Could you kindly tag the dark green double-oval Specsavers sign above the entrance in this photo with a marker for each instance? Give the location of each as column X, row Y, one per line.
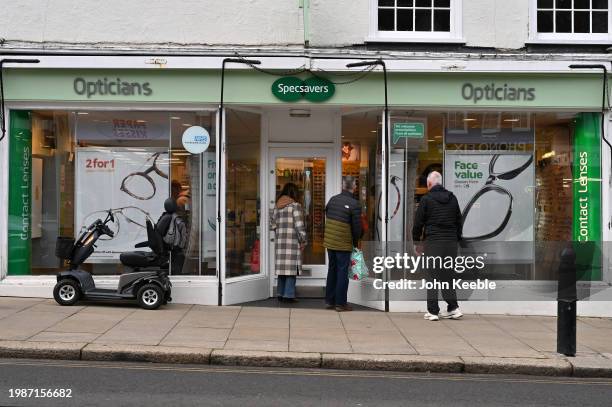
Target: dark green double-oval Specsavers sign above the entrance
column 313, row 89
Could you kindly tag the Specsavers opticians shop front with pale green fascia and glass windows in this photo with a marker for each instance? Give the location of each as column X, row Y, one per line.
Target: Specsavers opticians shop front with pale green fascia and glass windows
column 521, row 151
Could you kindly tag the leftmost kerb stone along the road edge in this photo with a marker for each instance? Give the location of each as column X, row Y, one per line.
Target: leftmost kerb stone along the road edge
column 41, row 350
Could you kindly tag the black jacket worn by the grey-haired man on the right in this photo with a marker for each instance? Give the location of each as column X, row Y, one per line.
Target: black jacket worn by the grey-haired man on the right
column 438, row 217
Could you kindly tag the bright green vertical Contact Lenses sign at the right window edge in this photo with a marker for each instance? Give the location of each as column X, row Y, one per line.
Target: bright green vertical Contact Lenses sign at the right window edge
column 587, row 196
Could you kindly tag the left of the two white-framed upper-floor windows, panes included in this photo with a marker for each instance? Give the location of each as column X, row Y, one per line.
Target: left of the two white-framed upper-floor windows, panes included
column 415, row 20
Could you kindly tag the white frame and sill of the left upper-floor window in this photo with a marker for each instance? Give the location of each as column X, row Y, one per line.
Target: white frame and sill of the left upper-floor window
column 455, row 35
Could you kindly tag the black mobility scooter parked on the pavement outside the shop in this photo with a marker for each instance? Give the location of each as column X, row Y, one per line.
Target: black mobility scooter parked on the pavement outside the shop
column 147, row 281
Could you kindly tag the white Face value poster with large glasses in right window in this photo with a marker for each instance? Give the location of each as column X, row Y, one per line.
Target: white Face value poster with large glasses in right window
column 495, row 191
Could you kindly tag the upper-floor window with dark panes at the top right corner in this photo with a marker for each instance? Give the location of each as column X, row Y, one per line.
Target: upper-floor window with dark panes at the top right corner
column 570, row 21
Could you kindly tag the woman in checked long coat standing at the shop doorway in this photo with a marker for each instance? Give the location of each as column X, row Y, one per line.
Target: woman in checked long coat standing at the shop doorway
column 287, row 222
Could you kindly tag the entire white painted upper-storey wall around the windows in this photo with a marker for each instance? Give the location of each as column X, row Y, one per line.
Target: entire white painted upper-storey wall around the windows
column 151, row 23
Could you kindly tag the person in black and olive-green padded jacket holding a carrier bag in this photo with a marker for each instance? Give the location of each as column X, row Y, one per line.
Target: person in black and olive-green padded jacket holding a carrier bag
column 342, row 233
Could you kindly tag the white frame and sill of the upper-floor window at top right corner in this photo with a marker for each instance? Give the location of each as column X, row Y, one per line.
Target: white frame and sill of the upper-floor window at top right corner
column 566, row 38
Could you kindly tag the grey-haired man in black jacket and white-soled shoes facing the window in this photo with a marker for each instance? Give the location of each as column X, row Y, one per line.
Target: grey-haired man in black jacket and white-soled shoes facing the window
column 438, row 224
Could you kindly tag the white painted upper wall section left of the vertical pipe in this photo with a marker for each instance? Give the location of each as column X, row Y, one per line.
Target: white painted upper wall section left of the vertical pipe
column 188, row 22
